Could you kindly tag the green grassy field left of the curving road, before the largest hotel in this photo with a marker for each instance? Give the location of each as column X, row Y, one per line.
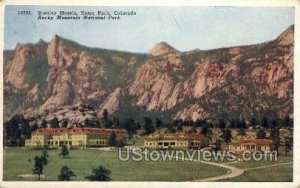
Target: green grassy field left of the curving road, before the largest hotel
column 18, row 161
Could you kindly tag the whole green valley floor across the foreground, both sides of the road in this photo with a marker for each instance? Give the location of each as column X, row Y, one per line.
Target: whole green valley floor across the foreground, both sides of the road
column 19, row 161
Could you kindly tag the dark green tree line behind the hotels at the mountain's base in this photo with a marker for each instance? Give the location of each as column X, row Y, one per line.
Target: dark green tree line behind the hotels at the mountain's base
column 17, row 129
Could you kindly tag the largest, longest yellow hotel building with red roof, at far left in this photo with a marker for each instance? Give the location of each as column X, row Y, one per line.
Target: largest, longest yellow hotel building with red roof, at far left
column 73, row 138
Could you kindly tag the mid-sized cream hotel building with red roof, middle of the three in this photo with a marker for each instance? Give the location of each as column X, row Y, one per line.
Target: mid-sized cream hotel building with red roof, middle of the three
column 176, row 141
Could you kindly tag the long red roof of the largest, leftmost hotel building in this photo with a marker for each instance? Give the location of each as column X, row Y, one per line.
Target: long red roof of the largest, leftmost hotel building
column 77, row 130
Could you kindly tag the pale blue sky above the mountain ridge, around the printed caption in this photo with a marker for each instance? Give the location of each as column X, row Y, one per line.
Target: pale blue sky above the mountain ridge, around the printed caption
column 185, row 28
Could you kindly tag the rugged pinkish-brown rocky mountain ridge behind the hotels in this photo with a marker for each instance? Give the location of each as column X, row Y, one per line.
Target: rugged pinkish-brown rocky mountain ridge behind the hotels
column 238, row 81
